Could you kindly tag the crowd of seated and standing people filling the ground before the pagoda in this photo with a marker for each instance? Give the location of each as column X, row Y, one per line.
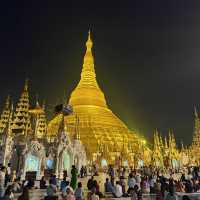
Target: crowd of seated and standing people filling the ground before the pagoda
column 122, row 182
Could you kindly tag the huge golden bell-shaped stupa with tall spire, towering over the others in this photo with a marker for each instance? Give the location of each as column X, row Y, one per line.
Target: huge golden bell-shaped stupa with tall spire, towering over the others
column 96, row 122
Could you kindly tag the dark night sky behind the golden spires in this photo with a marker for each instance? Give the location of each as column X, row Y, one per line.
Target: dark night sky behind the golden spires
column 147, row 56
